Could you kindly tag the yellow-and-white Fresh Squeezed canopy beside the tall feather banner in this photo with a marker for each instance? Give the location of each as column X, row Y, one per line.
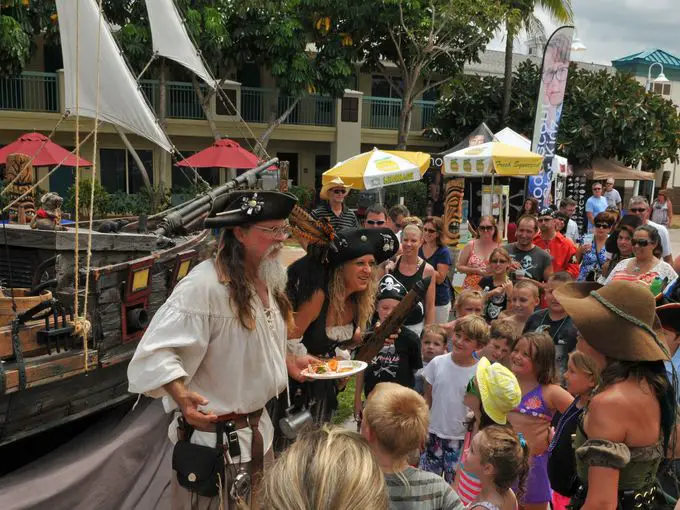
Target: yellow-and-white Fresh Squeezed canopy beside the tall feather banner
column 492, row 158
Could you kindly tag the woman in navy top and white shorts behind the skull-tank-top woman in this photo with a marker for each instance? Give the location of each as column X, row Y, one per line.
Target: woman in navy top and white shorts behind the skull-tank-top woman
column 439, row 257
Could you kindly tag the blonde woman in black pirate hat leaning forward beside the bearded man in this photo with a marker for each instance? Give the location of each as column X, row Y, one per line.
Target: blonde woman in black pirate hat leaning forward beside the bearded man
column 332, row 290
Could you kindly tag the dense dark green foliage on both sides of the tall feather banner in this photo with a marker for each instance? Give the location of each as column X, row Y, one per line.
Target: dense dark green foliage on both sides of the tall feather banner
column 604, row 115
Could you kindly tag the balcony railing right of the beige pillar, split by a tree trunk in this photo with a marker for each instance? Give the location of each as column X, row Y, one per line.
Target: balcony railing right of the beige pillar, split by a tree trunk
column 384, row 112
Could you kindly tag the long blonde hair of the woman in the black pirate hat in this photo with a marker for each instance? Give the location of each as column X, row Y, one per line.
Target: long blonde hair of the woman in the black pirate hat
column 364, row 301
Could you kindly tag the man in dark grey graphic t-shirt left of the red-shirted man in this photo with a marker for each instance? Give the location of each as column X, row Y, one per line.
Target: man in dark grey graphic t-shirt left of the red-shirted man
column 533, row 262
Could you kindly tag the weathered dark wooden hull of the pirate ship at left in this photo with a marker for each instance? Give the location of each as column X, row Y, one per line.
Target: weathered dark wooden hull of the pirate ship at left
column 46, row 378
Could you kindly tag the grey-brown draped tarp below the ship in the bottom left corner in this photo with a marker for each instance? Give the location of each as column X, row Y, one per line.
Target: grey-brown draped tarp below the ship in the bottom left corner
column 116, row 464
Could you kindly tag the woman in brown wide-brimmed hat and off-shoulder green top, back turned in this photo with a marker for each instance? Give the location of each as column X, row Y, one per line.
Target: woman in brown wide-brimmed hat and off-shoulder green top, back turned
column 628, row 425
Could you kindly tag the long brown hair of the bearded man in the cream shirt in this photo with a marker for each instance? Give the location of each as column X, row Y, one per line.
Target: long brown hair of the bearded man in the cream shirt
column 231, row 270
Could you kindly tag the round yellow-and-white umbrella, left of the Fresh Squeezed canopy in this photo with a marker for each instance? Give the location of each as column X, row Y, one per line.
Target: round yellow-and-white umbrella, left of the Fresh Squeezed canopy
column 378, row 168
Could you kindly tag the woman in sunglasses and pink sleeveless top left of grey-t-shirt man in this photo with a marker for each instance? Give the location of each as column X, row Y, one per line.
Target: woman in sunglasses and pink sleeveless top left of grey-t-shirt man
column 474, row 259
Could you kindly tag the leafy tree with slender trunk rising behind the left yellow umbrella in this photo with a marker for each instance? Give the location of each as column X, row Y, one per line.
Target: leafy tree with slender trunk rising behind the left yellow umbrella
column 416, row 45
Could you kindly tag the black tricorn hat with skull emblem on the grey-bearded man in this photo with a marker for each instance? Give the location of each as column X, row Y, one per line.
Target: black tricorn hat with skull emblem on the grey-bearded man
column 241, row 208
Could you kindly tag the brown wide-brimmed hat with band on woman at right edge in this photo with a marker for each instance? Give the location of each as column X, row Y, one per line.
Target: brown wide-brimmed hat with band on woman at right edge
column 618, row 320
